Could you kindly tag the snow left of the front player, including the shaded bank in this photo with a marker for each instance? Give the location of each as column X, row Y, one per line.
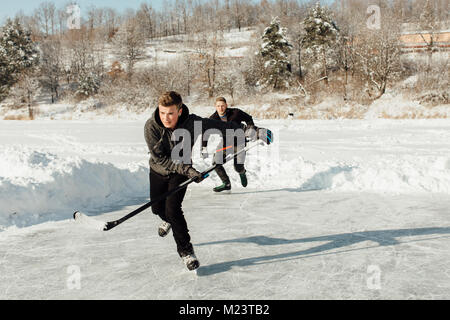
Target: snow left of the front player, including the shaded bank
column 43, row 184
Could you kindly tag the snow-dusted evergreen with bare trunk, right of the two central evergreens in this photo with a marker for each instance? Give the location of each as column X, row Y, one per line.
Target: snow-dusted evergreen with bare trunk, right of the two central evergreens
column 321, row 34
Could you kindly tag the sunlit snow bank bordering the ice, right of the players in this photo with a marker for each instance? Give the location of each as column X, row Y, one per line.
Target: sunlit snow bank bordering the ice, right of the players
column 391, row 174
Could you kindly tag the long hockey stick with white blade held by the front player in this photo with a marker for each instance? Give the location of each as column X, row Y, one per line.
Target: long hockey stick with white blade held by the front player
column 105, row 226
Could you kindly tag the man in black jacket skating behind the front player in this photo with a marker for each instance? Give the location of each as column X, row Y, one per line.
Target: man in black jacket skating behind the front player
column 237, row 116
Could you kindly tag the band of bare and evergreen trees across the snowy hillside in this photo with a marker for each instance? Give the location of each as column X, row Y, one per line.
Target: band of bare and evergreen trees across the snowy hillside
column 301, row 46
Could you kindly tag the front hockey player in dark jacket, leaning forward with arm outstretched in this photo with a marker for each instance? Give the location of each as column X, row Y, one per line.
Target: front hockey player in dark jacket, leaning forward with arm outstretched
column 170, row 166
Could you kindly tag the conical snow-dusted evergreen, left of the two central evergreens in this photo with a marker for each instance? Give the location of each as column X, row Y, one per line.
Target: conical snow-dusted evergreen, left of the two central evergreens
column 275, row 49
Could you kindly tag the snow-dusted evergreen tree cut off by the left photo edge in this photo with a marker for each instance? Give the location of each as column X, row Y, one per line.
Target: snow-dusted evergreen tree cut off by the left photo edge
column 18, row 53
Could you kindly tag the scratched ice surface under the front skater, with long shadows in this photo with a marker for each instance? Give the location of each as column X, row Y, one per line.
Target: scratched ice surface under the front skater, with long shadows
column 252, row 244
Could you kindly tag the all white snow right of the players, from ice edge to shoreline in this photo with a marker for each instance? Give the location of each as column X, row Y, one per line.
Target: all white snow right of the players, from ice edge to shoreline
column 384, row 156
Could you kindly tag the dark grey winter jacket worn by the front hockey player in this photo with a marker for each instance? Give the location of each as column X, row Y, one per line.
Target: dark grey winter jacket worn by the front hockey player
column 160, row 143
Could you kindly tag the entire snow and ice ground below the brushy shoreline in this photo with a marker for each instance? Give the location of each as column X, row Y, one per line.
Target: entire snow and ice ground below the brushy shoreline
column 334, row 209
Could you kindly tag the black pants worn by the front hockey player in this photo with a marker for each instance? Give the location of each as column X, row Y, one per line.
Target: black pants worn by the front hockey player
column 169, row 209
